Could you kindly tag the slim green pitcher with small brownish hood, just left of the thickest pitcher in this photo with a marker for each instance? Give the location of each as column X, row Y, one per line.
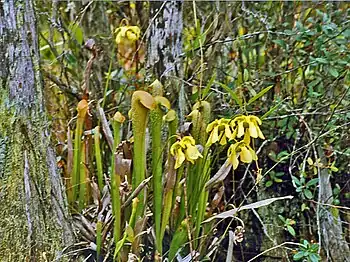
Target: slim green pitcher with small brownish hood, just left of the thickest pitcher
column 117, row 121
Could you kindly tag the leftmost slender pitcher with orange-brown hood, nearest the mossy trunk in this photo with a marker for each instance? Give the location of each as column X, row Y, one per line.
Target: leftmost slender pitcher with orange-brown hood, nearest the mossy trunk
column 82, row 110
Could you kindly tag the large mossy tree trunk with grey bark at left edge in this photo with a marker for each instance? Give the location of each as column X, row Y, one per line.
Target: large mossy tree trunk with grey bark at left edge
column 33, row 216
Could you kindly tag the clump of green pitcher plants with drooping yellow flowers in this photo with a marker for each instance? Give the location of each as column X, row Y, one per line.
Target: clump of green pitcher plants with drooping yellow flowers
column 171, row 185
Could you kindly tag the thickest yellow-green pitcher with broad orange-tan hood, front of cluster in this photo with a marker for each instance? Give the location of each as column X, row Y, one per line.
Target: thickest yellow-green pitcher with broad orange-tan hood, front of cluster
column 141, row 102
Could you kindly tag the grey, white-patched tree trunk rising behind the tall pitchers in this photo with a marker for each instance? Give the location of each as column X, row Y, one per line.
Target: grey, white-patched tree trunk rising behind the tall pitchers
column 165, row 48
